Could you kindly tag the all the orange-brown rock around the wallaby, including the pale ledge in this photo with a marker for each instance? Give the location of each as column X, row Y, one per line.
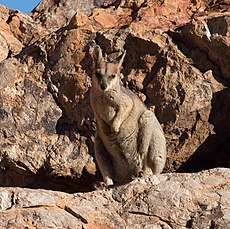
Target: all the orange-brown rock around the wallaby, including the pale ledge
column 177, row 61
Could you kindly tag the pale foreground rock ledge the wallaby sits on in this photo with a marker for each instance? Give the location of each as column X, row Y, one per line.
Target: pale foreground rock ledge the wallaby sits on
column 199, row 200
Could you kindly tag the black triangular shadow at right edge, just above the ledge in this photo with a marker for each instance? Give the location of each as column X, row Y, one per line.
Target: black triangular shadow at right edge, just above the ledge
column 215, row 151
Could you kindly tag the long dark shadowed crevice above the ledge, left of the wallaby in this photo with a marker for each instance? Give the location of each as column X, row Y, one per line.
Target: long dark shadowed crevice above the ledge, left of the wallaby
column 10, row 177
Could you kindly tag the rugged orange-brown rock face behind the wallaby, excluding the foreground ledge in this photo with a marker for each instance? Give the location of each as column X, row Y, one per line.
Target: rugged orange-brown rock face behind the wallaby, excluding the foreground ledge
column 177, row 61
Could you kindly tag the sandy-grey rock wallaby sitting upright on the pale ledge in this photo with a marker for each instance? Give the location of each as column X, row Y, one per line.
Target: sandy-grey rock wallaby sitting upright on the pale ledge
column 129, row 140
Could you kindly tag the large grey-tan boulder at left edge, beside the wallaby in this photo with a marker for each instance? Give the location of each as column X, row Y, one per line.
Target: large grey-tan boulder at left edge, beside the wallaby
column 30, row 144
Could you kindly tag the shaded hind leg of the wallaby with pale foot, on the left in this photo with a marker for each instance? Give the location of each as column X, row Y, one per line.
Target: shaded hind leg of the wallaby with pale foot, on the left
column 103, row 161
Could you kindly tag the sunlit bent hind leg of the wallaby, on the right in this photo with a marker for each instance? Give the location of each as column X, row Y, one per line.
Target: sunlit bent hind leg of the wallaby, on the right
column 152, row 144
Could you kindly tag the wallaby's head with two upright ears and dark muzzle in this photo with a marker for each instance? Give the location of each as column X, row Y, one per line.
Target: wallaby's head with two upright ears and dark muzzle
column 107, row 75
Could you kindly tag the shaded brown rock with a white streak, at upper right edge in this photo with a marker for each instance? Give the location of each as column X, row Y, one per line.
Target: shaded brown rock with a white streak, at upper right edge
column 207, row 34
